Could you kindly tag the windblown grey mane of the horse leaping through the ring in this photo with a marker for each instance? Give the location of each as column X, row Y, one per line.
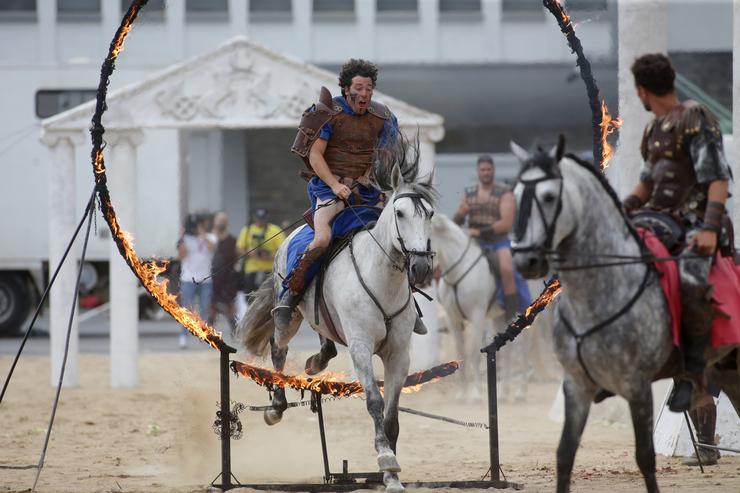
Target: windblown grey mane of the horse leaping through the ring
column 404, row 154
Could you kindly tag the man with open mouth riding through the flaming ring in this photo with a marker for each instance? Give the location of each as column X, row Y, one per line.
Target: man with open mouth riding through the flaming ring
column 338, row 139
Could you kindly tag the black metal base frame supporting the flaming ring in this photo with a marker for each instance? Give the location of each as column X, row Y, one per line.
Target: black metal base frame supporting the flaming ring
column 345, row 480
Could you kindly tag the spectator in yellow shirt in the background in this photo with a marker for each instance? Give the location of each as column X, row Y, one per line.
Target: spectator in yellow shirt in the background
column 259, row 241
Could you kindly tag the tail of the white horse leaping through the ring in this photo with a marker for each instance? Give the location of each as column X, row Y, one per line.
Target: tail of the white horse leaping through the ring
column 256, row 327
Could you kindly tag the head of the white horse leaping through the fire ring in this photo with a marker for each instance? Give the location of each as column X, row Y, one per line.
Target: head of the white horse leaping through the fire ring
column 410, row 207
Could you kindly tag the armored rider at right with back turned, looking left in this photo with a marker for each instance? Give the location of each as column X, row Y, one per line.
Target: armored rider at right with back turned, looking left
column 685, row 174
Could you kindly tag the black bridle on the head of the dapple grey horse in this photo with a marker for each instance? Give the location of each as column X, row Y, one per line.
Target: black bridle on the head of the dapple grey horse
column 525, row 210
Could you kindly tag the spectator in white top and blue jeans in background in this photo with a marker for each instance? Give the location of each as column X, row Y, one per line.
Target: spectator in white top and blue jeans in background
column 195, row 249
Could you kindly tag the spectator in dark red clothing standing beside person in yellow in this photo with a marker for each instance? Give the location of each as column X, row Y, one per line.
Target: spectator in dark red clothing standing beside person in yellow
column 224, row 275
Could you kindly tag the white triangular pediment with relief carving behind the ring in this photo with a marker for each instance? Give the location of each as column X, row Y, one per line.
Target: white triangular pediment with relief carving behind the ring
column 240, row 84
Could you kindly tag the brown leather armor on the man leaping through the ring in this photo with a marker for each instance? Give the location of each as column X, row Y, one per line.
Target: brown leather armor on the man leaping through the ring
column 351, row 149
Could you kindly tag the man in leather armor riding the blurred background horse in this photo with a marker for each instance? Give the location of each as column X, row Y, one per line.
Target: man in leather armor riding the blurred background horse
column 489, row 208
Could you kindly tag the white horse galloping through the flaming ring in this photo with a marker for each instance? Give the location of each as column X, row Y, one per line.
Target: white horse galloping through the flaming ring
column 367, row 289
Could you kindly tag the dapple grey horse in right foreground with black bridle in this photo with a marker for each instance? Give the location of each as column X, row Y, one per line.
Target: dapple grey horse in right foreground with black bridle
column 567, row 209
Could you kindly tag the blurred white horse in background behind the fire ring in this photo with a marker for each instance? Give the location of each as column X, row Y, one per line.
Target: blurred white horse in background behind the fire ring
column 466, row 292
